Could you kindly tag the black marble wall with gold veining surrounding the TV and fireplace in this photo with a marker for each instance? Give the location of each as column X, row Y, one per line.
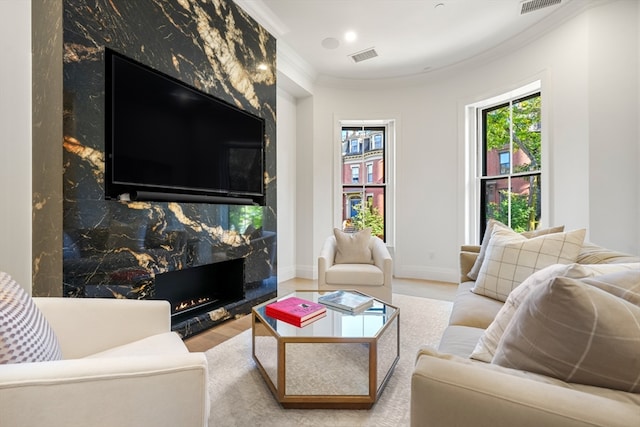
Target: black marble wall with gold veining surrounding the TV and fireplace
column 113, row 248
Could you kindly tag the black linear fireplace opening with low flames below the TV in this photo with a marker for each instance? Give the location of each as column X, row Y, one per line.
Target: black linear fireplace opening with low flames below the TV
column 198, row 290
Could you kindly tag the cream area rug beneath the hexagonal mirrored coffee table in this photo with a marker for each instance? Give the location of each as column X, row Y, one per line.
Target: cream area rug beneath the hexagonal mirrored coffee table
column 240, row 396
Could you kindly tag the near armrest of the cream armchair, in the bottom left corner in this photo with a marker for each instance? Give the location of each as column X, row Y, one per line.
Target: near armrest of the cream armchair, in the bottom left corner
column 163, row 390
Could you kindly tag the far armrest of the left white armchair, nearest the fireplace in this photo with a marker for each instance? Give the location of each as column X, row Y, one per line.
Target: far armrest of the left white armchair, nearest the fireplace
column 85, row 326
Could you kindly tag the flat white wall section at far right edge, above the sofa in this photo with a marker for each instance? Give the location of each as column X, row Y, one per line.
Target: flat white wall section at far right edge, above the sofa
column 613, row 147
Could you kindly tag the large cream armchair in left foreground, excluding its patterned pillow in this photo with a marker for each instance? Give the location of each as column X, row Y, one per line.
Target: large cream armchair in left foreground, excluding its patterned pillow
column 121, row 366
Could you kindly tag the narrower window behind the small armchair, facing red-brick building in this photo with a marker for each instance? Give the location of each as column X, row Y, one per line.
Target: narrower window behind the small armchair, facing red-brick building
column 364, row 203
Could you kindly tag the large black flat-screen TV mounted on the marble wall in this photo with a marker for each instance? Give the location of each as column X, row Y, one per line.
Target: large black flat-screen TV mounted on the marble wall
column 168, row 141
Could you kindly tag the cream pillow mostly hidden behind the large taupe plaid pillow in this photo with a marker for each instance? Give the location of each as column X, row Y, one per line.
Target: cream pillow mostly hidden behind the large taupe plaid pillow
column 603, row 274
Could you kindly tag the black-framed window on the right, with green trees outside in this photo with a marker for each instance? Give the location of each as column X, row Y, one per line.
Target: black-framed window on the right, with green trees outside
column 510, row 163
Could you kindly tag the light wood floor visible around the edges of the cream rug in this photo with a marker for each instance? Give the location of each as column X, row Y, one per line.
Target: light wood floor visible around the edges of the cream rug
column 220, row 333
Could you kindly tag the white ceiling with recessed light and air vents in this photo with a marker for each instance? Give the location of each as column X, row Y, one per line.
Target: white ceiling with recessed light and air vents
column 410, row 36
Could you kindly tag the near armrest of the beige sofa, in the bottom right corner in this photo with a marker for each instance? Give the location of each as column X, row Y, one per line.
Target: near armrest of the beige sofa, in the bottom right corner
column 449, row 393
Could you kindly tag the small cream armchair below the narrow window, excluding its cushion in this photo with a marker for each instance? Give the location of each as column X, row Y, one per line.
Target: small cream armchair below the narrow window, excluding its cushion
column 373, row 279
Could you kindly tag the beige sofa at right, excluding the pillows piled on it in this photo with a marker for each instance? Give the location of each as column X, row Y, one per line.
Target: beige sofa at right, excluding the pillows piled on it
column 449, row 388
